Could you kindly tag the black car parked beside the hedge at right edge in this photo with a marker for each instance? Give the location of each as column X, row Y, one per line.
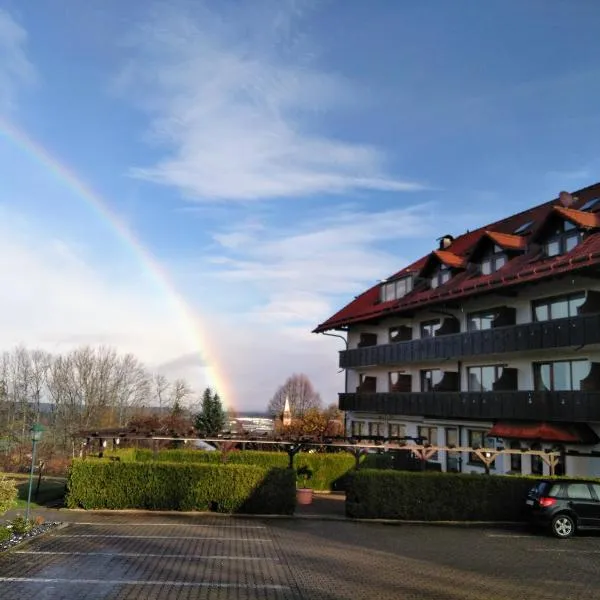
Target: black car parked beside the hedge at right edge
column 564, row 507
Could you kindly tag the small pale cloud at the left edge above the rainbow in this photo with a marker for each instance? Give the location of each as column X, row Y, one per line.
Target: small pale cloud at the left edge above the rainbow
column 15, row 68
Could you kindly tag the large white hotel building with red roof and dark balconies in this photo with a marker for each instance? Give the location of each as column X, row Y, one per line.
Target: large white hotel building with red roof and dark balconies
column 491, row 340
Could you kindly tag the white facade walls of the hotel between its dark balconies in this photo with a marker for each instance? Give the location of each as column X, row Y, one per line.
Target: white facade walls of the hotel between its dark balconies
column 366, row 423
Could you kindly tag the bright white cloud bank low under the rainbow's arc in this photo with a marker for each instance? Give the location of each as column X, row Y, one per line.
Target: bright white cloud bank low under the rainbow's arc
column 54, row 298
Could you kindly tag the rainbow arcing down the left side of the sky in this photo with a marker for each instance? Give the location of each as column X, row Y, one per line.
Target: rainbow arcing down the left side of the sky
column 190, row 322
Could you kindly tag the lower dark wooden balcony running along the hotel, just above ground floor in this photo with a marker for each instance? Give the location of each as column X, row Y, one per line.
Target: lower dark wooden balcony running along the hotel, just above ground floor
column 575, row 407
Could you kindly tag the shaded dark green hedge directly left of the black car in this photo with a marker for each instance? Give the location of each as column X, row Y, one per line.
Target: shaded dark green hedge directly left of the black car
column 373, row 494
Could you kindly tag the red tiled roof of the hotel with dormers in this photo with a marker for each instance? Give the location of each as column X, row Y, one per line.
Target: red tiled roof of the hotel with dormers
column 532, row 265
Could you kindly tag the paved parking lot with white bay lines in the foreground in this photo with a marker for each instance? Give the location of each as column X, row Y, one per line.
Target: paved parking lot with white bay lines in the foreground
column 160, row 557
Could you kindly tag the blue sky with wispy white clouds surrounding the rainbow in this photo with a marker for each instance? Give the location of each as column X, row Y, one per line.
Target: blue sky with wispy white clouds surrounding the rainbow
column 275, row 157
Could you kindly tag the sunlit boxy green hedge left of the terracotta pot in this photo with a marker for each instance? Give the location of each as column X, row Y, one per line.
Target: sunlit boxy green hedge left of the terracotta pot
column 96, row 484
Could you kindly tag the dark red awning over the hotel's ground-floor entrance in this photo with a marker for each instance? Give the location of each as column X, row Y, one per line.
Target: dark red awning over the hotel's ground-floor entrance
column 546, row 432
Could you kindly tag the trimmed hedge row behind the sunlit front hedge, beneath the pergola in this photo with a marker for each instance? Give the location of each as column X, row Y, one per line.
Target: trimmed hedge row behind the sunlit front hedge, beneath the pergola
column 329, row 470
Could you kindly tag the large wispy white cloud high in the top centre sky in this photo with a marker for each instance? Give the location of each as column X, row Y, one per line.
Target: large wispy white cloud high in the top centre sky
column 231, row 100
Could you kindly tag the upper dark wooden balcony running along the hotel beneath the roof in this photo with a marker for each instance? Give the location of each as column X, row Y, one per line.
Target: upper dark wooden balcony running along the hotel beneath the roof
column 559, row 333
